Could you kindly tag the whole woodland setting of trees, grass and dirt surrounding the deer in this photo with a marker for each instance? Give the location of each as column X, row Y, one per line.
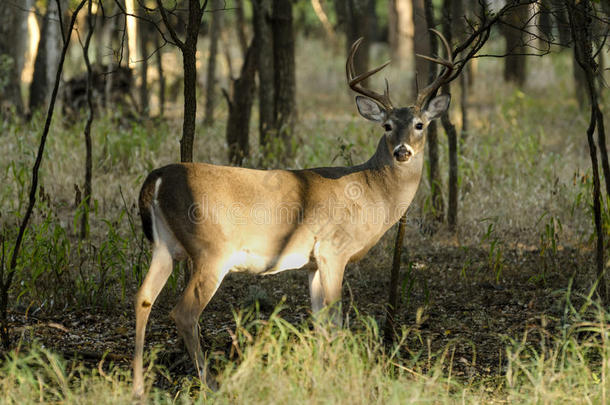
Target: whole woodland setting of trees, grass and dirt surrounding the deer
column 500, row 286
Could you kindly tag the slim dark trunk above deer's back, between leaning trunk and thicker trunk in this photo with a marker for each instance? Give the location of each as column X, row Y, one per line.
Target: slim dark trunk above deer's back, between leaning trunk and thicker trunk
column 266, row 76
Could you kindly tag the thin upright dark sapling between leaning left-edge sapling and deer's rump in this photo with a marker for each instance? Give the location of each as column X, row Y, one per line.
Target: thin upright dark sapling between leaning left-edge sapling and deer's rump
column 84, row 229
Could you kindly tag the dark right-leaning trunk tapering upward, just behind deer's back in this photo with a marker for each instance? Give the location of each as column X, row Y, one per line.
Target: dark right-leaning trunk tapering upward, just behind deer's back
column 240, row 107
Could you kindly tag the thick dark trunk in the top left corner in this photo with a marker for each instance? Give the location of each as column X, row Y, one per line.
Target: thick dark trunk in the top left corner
column 13, row 42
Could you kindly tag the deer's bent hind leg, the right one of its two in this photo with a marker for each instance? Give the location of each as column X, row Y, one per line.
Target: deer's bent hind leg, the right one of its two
column 207, row 275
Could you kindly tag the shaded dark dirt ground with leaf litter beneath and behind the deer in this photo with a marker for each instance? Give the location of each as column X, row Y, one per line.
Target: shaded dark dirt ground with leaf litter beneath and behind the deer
column 451, row 297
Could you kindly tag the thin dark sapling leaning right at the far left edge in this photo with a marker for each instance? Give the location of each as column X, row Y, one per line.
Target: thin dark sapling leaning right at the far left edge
column 7, row 274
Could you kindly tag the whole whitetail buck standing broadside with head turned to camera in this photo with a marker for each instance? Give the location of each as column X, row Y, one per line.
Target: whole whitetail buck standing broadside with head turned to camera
column 235, row 219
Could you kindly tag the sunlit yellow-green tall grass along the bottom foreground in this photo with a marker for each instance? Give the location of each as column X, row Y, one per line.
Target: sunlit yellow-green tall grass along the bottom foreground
column 274, row 362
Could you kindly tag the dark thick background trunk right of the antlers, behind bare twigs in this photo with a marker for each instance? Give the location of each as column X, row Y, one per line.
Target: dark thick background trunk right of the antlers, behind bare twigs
column 515, row 61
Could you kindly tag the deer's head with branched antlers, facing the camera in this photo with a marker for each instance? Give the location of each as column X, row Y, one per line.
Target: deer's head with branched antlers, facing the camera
column 405, row 127
